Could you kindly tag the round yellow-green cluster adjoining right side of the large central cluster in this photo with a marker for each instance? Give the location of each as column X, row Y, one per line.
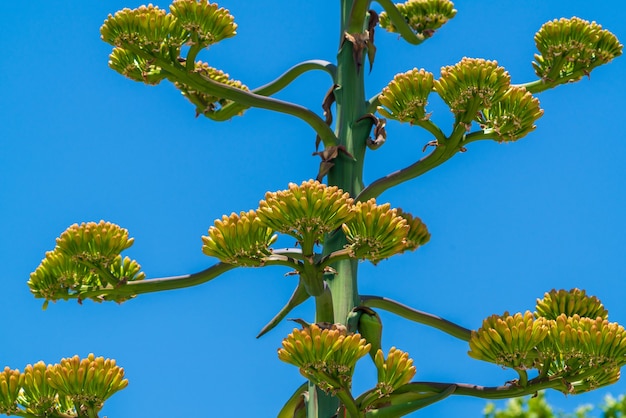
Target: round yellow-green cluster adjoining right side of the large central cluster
column 376, row 231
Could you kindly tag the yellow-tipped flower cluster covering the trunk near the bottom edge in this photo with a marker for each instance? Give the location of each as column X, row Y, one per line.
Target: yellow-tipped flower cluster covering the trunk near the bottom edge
column 327, row 356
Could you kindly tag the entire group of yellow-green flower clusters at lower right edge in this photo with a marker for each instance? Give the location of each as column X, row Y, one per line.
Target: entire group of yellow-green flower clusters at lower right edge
column 568, row 340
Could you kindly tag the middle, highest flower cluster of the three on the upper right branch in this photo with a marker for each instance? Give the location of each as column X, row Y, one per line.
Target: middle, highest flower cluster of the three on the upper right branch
column 471, row 86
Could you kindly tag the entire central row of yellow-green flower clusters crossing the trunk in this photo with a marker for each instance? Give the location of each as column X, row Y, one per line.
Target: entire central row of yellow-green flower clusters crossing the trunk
column 307, row 212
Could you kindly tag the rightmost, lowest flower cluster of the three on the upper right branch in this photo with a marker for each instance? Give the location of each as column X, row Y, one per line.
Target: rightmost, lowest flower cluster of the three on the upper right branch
column 511, row 117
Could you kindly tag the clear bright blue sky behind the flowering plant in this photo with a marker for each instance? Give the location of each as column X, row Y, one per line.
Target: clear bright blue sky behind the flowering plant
column 80, row 143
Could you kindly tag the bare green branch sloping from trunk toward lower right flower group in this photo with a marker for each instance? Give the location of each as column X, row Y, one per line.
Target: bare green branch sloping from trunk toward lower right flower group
column 417, row 316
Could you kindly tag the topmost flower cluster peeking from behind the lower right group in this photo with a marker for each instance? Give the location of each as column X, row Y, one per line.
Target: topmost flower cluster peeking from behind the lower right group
column 574, row 302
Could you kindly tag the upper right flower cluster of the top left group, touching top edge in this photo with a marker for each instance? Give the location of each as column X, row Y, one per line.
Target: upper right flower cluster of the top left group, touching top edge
column 204, row 22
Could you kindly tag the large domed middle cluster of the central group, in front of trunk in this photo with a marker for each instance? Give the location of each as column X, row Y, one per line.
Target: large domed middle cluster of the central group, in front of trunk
column 306, row 212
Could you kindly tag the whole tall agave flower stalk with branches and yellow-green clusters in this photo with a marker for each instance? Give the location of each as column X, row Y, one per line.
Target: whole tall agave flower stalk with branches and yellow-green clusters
column 335, row 220
